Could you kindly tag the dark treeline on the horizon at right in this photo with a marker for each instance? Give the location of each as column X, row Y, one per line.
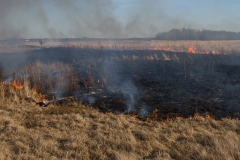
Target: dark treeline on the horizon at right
column 192, row 34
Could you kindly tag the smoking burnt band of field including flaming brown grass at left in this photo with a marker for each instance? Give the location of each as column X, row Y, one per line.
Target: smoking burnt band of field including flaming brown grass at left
column 173, row 84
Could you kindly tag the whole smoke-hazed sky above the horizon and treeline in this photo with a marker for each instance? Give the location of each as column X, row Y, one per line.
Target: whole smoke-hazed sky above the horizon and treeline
column 113, row 18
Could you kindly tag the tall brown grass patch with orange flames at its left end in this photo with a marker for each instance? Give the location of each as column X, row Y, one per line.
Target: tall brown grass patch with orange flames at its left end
column 32, row 81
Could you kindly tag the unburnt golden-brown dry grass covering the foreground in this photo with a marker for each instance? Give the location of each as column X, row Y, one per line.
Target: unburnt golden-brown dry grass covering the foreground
column 74, row 131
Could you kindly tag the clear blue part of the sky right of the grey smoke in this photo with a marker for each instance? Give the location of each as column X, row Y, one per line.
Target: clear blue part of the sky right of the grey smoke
column 204, row 14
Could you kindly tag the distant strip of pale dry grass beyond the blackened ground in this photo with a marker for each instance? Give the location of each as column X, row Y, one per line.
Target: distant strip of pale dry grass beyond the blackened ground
column 206, row 47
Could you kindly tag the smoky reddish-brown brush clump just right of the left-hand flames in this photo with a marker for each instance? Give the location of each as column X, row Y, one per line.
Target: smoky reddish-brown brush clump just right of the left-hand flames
column 55, row 77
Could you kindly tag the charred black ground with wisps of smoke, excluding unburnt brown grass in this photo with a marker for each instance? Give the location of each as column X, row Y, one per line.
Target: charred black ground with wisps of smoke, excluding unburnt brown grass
column 208, row 84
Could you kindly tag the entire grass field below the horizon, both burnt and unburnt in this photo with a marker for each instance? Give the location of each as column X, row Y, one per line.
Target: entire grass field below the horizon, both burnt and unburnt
column 67, row 128
